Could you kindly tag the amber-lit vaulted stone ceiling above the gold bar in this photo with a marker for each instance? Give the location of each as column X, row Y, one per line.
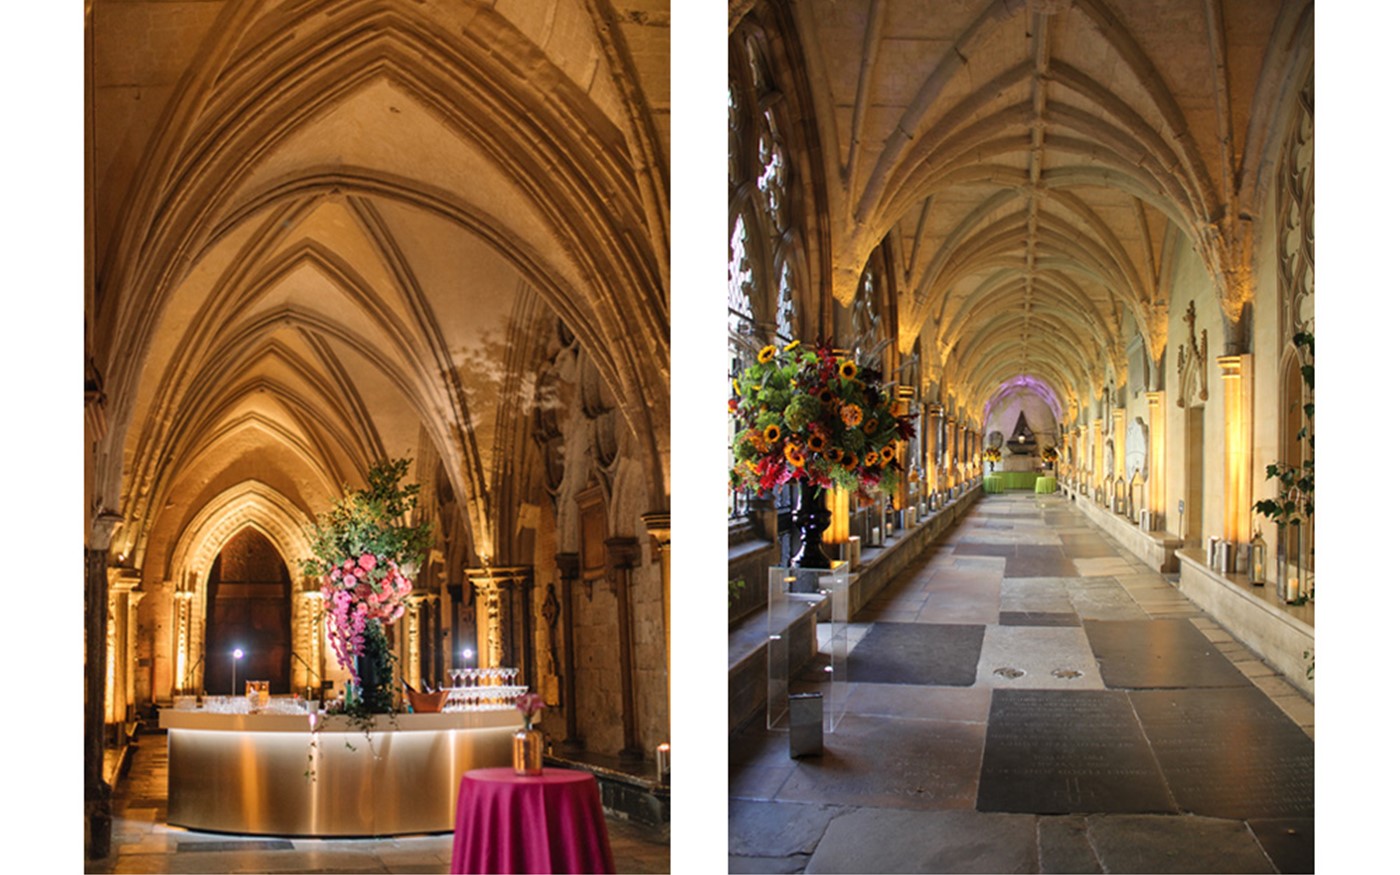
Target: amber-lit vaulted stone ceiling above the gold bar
column 323, row 232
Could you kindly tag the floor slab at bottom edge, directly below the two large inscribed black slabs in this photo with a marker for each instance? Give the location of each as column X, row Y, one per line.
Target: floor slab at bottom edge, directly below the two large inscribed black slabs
column 1175, row 845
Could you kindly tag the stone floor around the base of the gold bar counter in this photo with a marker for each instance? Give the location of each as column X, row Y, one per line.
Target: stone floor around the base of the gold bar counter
column 142, row 841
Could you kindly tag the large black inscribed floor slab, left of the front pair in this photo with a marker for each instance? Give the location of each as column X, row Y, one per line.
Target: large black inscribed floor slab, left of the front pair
column 1067, row 752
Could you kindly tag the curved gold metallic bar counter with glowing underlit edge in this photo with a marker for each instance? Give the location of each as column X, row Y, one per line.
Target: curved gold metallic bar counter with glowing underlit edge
column 271, row 775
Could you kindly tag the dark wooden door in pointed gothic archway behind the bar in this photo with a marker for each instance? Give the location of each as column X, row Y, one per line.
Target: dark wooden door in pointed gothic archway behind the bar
column 250, row 608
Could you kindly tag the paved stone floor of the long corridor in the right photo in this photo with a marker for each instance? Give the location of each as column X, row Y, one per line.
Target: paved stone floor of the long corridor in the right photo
column 1028, row 698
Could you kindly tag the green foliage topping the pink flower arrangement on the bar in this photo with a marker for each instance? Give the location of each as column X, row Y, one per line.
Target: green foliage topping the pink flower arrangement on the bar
column 373, row 520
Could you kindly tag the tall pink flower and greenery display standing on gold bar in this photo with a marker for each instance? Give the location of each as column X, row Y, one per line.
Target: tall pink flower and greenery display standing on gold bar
column 366, row 552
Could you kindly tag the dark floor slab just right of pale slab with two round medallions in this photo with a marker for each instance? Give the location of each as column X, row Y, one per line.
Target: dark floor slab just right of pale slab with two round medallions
column 1158, row 654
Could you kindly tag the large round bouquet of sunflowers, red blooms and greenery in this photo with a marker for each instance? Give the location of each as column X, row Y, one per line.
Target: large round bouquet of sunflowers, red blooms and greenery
column 810, row 415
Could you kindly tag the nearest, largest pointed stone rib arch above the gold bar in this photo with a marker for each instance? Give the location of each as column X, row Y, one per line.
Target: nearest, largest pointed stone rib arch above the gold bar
column 624, row 278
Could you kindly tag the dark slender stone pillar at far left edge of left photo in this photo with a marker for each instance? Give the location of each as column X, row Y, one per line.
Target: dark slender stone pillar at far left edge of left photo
column 97, row 794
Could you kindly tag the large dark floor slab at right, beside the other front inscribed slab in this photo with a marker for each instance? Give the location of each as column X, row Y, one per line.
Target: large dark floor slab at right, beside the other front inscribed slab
column 1228, row 752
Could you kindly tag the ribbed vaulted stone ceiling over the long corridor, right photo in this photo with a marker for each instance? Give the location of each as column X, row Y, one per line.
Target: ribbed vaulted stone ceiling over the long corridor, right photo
column 1039, row 164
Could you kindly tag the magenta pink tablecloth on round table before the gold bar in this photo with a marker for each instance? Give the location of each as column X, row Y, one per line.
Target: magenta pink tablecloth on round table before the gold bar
column 547, row 824
